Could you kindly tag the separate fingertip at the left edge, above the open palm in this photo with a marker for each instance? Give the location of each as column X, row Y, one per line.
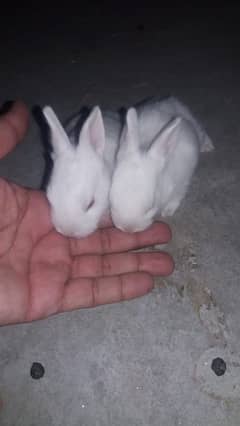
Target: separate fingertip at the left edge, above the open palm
column 13, row 126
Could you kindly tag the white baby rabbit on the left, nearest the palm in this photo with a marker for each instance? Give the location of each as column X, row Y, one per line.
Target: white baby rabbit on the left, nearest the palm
column 78, row 189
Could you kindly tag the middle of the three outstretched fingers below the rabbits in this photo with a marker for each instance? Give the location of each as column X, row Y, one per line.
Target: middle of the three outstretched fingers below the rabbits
column 156, row 263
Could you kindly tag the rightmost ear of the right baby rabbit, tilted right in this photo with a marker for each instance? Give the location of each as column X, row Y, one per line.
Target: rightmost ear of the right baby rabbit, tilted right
column 165, row 142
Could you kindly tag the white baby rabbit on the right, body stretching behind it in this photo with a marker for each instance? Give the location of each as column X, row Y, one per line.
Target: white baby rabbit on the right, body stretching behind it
column 158, row 153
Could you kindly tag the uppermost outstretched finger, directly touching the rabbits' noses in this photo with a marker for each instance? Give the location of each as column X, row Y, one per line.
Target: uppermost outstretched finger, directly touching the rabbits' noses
column 112, row 240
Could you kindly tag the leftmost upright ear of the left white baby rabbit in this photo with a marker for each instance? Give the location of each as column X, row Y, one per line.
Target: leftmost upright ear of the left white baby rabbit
column 59, row 138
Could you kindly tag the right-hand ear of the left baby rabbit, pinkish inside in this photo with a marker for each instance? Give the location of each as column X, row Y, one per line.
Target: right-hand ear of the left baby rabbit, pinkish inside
column 93, row 132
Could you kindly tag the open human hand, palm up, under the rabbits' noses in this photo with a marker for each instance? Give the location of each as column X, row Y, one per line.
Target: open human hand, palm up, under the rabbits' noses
column 43, row 273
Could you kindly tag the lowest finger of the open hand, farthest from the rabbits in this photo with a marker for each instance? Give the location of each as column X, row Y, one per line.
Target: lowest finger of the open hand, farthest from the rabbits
column 90, row 292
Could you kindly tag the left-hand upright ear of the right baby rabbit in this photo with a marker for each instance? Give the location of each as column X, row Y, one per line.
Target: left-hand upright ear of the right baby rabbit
column 130, row 135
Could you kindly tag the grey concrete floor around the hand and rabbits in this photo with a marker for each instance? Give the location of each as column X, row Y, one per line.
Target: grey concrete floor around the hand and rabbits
column 147, row 361
